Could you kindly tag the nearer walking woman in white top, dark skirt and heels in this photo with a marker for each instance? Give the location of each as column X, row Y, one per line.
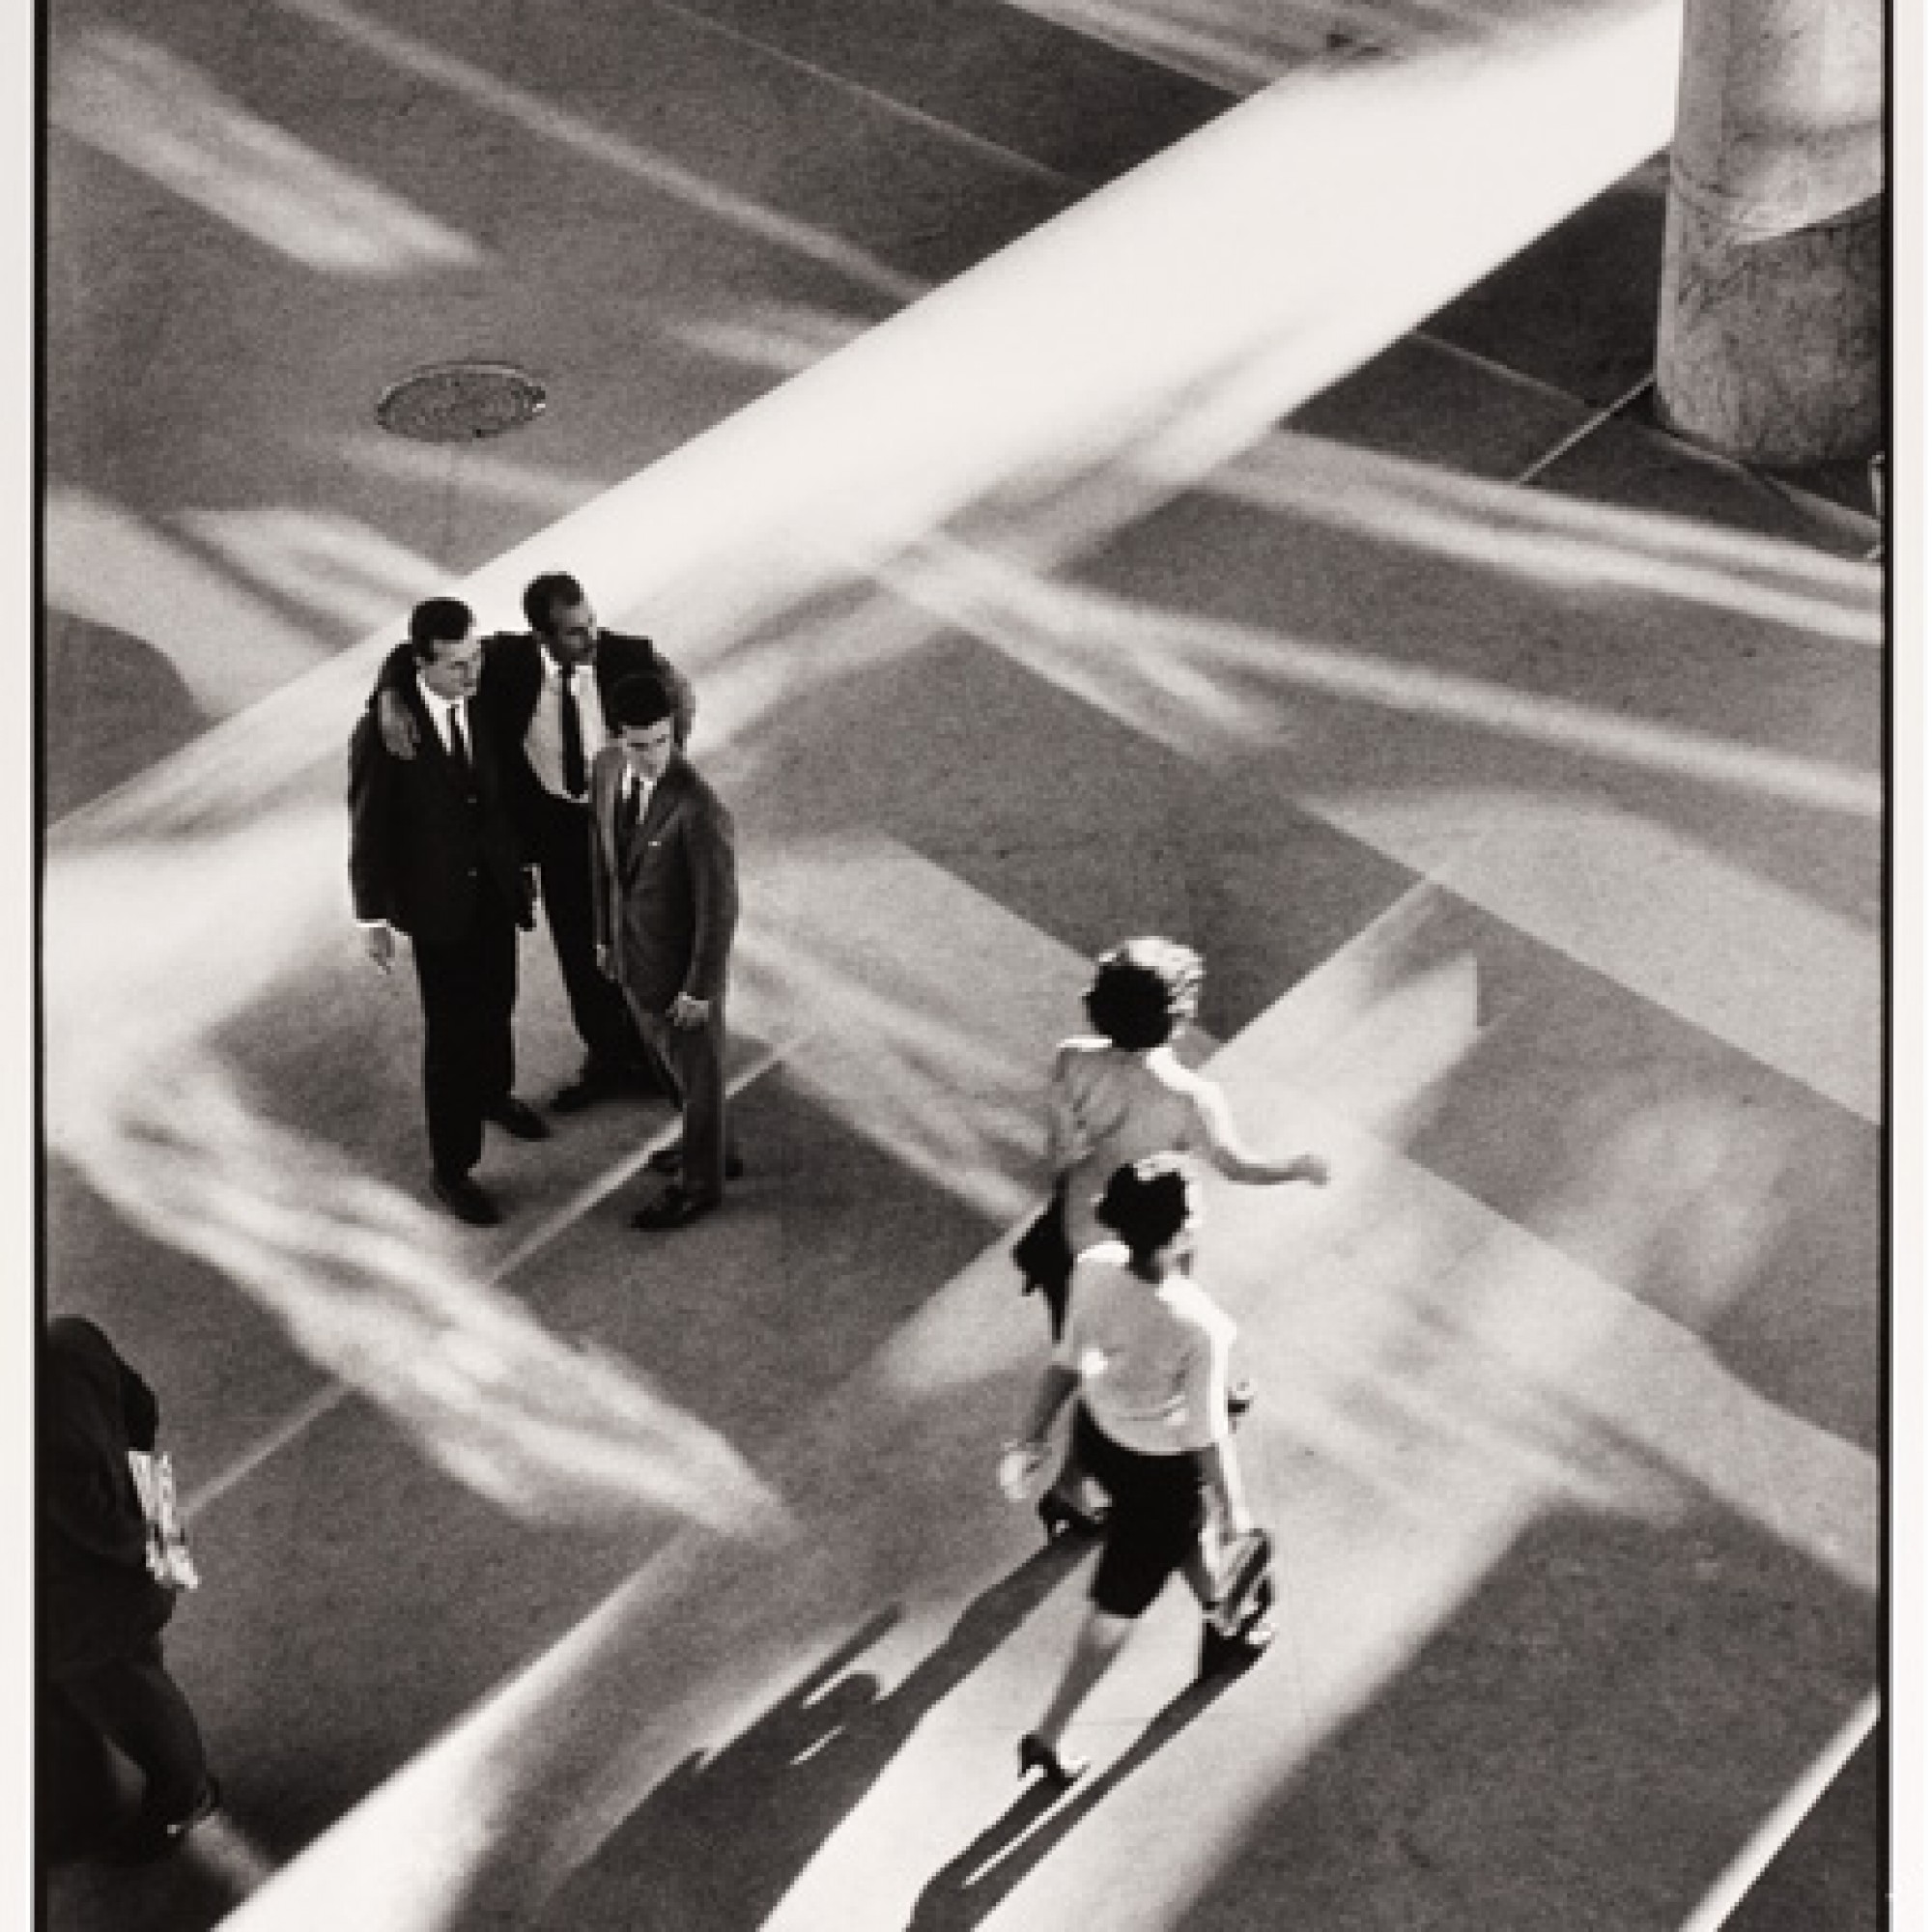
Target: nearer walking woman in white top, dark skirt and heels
column 1147, row 1351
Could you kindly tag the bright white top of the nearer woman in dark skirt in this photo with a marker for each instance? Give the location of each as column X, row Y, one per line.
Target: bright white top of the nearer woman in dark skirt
column 1151, row 1357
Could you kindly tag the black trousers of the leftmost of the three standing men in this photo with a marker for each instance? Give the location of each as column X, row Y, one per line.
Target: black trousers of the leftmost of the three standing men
column 469, row 992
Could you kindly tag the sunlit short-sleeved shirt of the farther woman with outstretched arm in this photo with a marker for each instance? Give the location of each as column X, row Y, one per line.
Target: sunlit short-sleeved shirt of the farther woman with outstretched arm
column 1112, row 1108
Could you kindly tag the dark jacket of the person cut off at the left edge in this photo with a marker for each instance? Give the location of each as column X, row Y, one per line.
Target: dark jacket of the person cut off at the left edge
column 98, row 1597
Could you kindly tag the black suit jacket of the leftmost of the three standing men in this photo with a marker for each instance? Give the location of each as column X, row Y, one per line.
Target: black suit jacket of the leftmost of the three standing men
column 420, row 851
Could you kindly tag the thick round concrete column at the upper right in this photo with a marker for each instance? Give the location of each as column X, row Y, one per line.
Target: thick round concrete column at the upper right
column 1771, row 324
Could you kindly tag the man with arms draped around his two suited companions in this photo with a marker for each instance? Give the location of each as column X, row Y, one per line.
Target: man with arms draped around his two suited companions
column 546, row 702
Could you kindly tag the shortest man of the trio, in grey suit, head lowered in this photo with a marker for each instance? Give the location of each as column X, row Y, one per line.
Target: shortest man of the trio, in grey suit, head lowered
column 666, row 903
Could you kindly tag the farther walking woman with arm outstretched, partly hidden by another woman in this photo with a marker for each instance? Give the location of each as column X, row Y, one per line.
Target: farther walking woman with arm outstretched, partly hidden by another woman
column 1123, row 1094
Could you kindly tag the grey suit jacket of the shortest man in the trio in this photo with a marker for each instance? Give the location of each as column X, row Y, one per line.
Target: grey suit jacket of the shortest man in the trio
column 666, row 897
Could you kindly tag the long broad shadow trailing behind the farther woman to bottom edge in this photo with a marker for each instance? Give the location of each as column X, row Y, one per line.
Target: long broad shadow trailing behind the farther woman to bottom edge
column 780, row 1792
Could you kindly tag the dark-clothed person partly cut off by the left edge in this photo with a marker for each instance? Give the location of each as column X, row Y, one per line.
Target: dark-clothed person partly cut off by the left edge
column 101, row 1610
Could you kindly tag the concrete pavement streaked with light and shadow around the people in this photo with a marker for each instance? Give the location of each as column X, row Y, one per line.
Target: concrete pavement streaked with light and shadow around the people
column 1516, row 768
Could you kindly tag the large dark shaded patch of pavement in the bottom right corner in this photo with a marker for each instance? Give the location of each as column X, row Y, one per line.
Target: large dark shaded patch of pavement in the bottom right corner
column 1585, row 1742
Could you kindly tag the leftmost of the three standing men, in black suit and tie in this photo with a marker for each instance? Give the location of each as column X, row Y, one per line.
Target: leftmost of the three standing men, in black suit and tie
column 436, row 855
